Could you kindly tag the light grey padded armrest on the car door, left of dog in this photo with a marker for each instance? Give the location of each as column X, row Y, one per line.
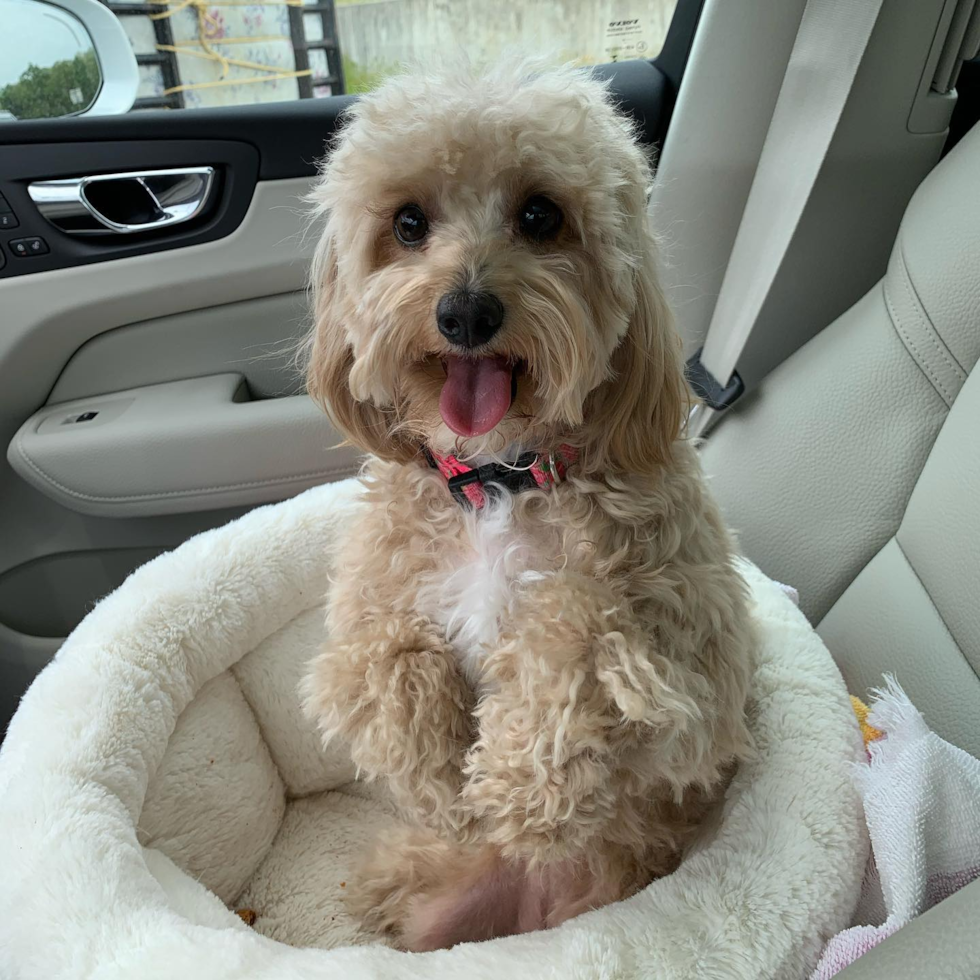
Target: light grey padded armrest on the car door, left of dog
column 192, row 445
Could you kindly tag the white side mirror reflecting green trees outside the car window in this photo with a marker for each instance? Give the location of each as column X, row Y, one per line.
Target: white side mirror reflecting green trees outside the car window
column 63, row 58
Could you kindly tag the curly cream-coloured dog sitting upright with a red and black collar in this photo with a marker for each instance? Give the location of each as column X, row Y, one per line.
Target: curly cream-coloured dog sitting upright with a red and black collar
column 537, row 635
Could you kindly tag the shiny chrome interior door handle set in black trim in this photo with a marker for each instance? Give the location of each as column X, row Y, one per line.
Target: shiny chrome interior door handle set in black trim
column 124, row 204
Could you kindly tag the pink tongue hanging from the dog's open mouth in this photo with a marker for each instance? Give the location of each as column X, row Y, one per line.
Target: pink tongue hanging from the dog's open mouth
column 476, row 394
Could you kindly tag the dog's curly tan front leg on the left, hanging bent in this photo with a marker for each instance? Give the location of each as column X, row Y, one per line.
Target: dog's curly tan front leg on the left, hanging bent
column 395, row 694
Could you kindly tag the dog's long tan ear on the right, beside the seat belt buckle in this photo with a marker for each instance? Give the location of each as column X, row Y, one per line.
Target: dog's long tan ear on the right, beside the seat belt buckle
column 636, row 416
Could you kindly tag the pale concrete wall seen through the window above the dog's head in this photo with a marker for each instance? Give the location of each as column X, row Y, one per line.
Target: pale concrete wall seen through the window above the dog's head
column 378, row 36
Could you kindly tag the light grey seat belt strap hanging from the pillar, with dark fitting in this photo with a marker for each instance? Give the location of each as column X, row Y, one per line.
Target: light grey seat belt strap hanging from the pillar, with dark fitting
column 829, row 46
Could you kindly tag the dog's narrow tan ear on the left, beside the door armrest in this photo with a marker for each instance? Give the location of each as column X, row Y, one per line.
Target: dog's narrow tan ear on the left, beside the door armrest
column 328, row 365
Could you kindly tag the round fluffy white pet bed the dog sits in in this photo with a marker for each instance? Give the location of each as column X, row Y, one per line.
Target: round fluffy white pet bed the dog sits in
column 159, row 773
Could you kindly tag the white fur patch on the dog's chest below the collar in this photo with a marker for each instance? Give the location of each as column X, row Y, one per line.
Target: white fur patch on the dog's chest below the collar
column 469, row 594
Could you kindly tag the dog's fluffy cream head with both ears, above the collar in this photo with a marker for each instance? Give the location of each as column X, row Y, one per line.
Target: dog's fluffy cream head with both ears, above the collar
column 485, row 277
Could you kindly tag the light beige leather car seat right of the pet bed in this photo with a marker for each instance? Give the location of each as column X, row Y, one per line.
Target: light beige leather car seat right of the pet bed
column 853, row 473
